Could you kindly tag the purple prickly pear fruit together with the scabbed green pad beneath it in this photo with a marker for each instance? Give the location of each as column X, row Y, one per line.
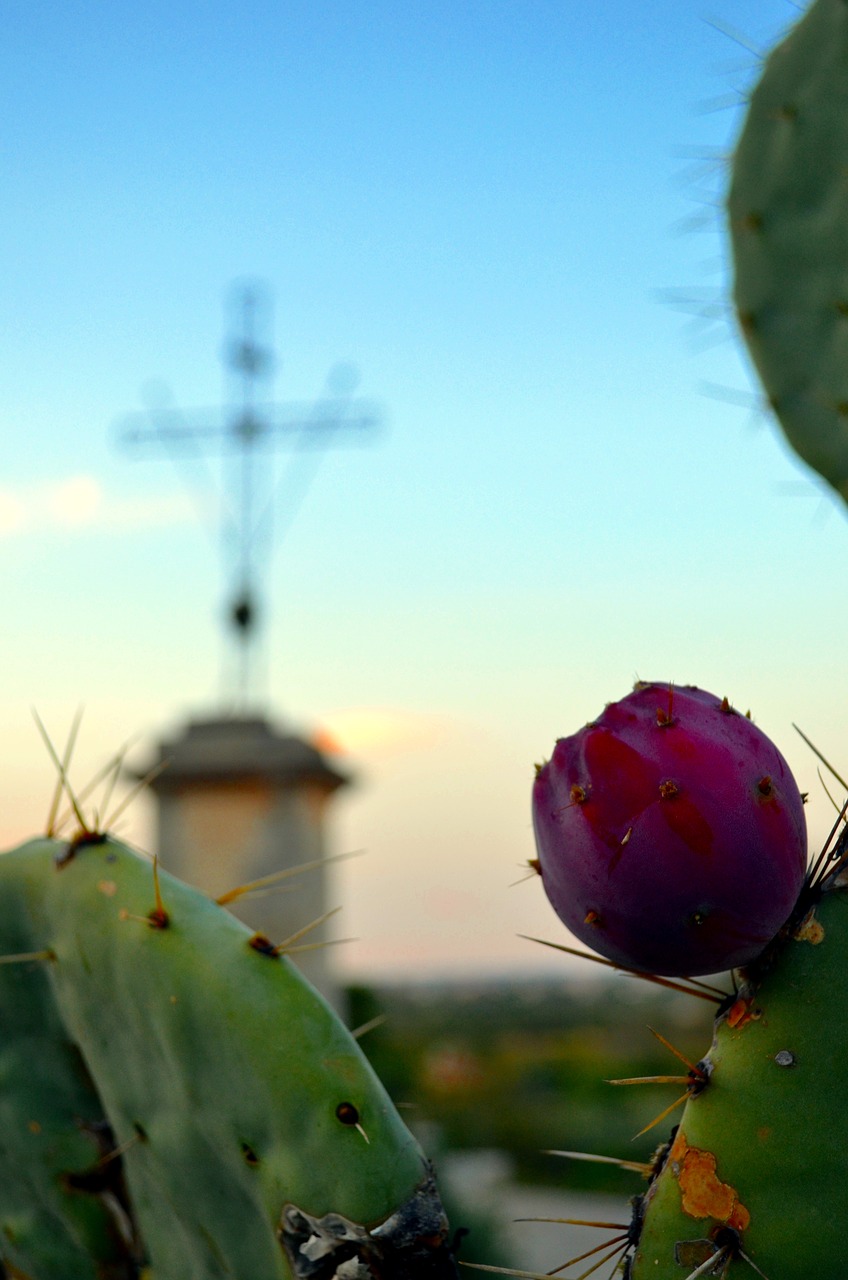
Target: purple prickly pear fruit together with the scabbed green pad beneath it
column 751, row 1181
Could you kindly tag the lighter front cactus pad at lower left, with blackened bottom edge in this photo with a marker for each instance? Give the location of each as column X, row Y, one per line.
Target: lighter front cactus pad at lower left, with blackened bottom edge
column 240, row 1101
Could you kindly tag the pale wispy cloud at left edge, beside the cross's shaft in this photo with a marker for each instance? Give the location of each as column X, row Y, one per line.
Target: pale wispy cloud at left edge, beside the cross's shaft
column 80, row 504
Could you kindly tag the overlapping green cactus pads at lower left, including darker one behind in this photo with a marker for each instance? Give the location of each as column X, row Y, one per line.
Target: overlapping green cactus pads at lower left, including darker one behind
column 177, row 1103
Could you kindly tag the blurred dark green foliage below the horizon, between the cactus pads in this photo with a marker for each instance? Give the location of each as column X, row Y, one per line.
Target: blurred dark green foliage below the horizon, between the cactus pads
column 523, row 1068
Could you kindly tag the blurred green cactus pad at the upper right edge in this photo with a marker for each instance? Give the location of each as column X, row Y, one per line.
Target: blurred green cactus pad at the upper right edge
column 788, row 213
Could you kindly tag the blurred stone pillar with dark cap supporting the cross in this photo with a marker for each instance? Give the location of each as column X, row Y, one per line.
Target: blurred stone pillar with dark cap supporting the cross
column 240, row 801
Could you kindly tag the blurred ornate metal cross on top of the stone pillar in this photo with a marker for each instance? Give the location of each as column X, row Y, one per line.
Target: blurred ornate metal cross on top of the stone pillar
column 252, row 490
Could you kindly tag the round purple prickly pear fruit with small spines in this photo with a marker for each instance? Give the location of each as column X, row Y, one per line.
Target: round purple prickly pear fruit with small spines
column 671, row 833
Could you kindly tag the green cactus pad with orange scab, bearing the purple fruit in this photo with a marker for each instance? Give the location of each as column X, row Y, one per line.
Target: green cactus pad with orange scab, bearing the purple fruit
column 760, row 1159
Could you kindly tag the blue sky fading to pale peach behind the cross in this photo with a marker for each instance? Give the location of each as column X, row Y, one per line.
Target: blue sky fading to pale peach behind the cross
column 507, row 216
